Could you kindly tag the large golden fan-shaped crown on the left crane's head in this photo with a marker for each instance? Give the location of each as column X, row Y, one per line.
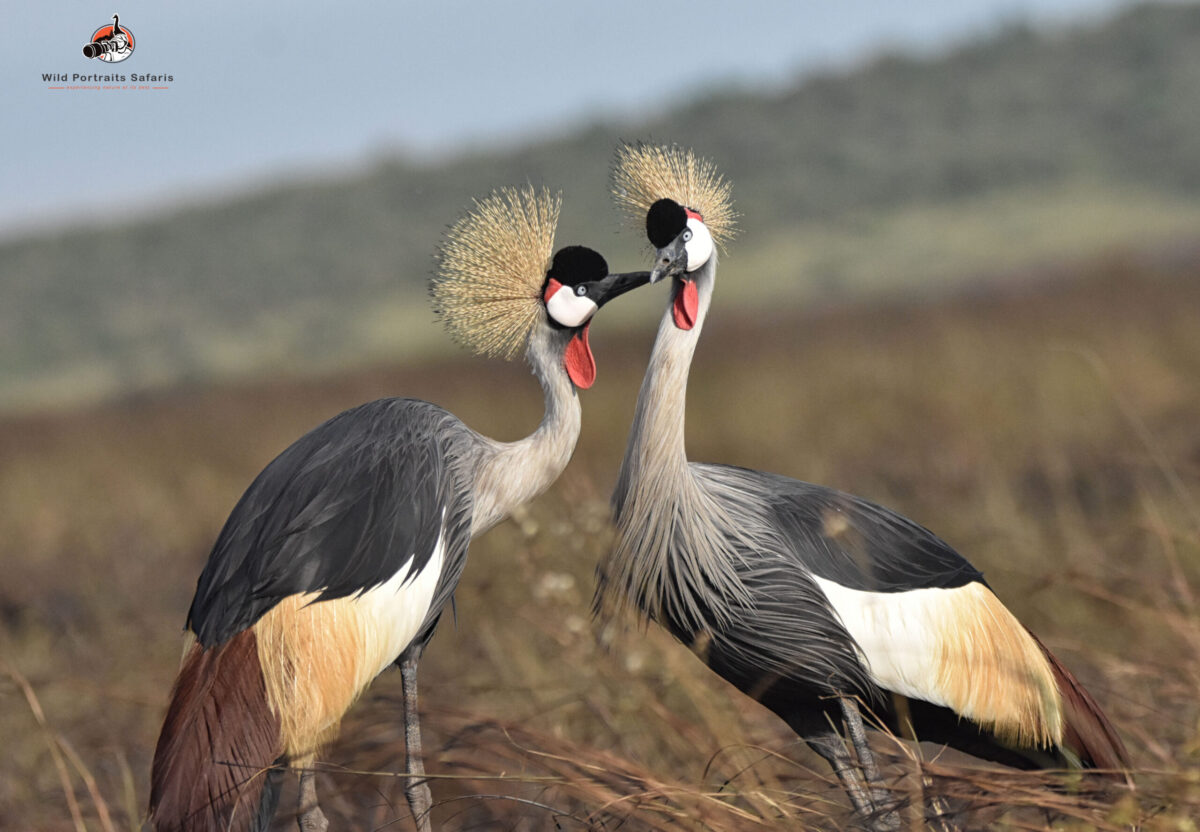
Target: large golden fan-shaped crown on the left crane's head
column 491, row 268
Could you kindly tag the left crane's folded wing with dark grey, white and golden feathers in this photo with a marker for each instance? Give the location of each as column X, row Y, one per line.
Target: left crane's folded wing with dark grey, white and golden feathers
column 387, row 487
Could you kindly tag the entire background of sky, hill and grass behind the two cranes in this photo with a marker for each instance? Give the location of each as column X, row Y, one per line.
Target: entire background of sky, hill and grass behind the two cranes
column 968, row 286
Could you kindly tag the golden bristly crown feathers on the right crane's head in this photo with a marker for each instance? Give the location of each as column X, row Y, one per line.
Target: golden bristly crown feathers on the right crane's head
column 645, row 173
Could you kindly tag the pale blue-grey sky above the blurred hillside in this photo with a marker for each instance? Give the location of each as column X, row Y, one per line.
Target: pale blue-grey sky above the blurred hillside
column 259, row 97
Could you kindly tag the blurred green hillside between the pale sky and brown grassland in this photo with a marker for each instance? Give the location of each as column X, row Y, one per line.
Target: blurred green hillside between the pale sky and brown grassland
column 1021, row 151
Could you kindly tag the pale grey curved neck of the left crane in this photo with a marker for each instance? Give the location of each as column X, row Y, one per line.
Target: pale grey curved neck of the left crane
column 513, row 474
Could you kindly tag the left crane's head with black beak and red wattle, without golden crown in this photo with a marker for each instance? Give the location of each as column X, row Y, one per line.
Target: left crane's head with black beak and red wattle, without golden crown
column 578, row 285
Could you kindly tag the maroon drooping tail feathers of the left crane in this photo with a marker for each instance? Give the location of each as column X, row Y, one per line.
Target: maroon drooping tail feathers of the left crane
column 218, row 743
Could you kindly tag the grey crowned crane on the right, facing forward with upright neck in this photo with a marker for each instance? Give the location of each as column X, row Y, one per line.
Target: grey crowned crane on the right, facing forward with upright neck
column 808, row 600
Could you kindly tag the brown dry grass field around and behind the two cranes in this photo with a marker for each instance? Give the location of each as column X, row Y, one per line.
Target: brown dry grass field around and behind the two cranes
column 1048, row 430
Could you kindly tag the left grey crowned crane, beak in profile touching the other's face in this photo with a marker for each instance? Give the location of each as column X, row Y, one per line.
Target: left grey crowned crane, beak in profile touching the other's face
column 343, row 554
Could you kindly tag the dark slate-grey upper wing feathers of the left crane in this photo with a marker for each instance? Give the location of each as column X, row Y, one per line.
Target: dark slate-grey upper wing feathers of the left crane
column 351, row 505
